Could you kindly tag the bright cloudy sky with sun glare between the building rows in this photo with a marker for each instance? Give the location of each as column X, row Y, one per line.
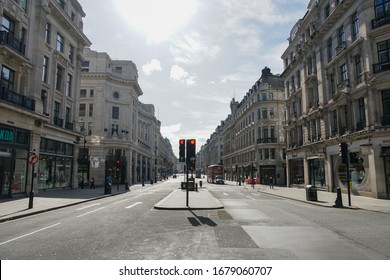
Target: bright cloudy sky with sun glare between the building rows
column 193, row 56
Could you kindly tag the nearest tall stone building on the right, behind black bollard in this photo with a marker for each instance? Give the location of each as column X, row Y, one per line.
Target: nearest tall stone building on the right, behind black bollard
column 336, row 75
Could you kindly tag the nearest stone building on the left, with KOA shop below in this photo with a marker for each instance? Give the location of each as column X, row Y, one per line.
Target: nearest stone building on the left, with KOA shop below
column 41, row 44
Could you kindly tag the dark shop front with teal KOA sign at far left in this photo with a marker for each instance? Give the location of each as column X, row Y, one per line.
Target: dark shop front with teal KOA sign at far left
column 14, row 147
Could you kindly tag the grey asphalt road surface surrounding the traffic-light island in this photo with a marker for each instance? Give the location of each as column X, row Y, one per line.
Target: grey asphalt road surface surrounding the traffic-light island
column 251, row 226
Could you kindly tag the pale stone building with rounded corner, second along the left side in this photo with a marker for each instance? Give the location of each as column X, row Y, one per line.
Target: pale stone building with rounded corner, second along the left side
column 122, row 135
